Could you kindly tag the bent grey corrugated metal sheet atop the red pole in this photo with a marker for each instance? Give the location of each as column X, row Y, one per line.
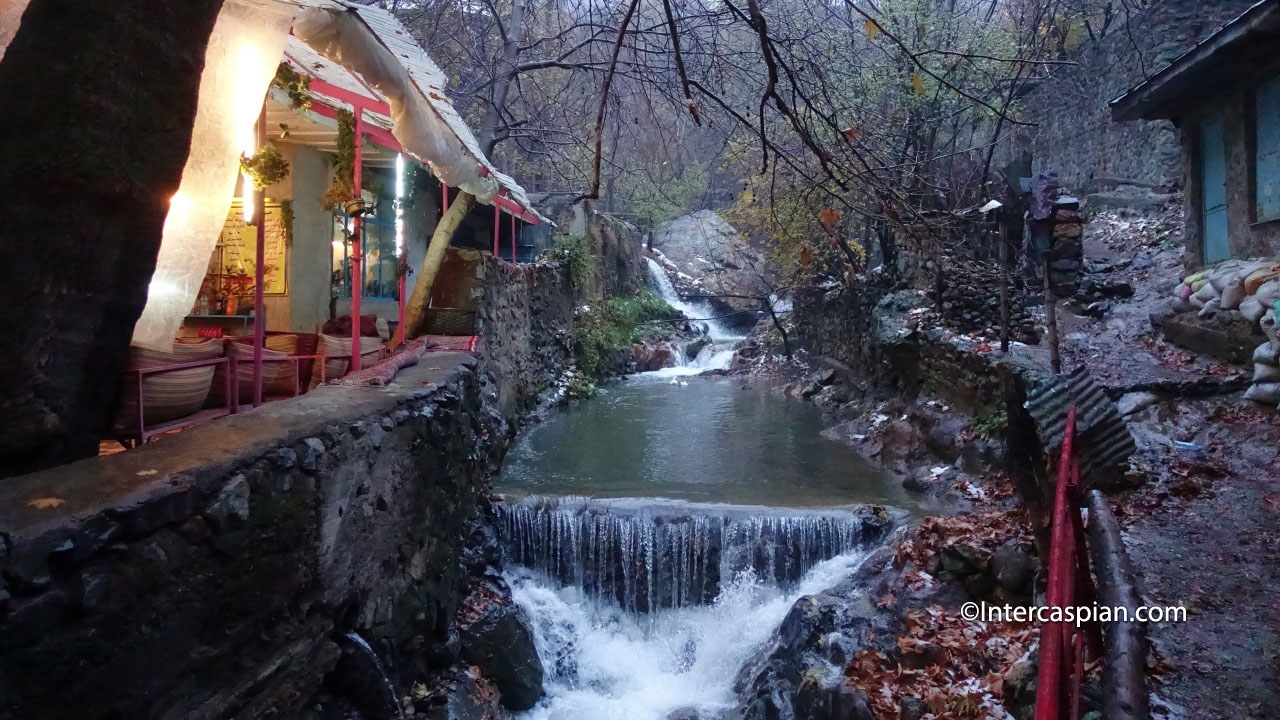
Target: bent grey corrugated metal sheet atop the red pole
column 1105, row 440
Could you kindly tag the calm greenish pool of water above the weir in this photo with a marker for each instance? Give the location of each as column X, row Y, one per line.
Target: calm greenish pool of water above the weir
column 707, row 441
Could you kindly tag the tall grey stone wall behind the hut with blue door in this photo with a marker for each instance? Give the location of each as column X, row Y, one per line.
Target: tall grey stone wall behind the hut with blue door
column 1076, row 136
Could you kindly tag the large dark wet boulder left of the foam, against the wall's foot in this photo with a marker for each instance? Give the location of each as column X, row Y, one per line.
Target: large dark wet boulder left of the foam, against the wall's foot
column 496, row 639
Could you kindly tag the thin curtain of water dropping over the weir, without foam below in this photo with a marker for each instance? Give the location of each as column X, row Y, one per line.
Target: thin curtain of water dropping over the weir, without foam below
column 651, row 555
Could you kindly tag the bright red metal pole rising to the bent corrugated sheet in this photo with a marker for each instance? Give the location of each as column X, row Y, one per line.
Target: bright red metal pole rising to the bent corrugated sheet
column 1052, row 651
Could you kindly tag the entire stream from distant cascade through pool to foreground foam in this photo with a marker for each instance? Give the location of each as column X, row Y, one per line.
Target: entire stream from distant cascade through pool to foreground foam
column 657, row 535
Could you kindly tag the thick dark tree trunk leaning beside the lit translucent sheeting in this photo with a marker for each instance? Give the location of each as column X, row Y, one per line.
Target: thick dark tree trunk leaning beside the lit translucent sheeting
column 94, row 144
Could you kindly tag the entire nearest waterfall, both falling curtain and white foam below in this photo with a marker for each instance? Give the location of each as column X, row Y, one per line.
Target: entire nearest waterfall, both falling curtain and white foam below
column 644, row 608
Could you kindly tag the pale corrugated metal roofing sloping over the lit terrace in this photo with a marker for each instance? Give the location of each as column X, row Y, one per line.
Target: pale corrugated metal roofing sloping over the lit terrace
column 431, row 83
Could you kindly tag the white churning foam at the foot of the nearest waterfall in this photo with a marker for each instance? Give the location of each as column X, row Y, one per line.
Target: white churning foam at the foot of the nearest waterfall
column 604, row 663
